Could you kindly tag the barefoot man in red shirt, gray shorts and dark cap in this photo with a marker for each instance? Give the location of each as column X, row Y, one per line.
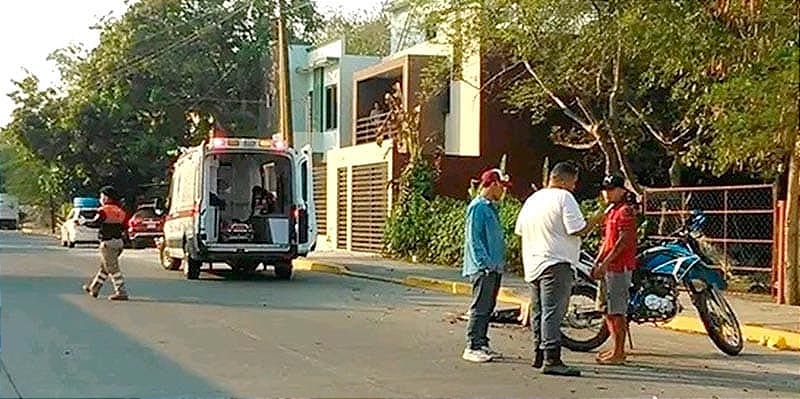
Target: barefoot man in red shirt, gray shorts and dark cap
column 615, row 264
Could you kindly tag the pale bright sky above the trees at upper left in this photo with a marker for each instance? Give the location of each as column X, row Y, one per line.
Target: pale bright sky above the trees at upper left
column 32, row 29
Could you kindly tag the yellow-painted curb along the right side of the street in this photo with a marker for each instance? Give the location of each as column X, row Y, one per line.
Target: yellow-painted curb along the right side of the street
column 771, row 338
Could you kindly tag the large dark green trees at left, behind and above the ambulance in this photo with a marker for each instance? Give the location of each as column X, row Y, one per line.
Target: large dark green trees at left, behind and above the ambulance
column 161, row 75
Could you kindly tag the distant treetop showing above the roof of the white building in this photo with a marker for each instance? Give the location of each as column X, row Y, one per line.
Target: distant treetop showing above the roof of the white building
column 366, row 32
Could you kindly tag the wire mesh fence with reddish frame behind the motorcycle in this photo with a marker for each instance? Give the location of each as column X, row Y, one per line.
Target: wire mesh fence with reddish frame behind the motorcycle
column 739, row 227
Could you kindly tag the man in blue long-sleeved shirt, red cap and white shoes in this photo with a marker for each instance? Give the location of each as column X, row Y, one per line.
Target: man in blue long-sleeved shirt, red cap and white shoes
column 484, row 260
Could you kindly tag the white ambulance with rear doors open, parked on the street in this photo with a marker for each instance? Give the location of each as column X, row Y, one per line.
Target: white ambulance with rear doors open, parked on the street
column 241, row 201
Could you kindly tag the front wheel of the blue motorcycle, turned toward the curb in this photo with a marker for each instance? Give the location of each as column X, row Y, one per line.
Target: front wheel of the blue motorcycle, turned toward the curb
column 719, row 320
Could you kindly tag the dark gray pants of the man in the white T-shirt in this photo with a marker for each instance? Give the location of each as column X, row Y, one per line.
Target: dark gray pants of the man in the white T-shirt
column 549, row 299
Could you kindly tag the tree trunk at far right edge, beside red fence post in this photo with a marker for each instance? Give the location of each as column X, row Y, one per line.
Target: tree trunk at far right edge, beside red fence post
column 792, row 251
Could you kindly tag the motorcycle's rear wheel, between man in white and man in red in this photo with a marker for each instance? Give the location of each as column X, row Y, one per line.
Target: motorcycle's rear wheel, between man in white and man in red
column 583, row 328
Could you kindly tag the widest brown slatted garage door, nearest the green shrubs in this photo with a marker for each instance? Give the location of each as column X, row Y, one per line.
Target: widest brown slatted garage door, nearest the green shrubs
column 370, row 206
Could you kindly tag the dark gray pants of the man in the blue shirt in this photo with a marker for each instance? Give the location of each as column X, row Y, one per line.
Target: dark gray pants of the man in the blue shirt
column 485, row 287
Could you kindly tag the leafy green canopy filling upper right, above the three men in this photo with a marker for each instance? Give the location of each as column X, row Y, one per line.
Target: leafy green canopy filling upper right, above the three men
column 656, row 81
